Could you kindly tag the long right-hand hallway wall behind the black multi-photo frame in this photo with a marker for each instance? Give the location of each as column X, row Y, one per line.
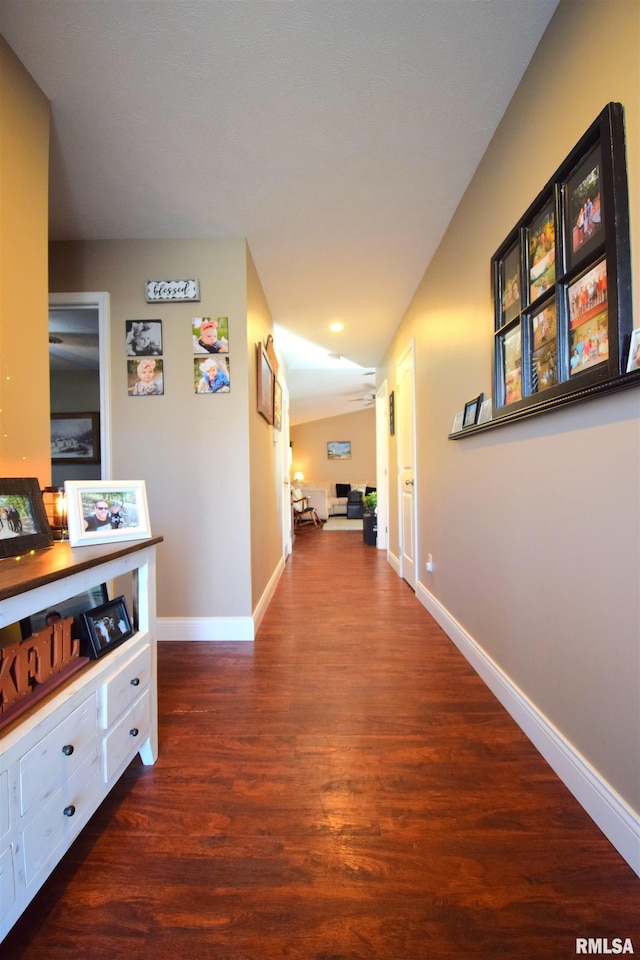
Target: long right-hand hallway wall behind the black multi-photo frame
column 534, row 527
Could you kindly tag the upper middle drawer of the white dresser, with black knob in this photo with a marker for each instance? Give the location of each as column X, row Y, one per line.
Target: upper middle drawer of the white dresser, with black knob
column 47, row 765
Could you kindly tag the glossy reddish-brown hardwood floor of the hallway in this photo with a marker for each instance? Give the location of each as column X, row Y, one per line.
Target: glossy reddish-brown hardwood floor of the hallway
column 345, row 788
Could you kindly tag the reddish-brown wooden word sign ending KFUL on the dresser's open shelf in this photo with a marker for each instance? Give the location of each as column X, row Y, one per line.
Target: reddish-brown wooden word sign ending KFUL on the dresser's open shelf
column 36, row 661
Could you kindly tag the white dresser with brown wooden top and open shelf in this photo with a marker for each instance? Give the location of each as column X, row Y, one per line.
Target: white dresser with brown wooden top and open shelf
column 60, row 758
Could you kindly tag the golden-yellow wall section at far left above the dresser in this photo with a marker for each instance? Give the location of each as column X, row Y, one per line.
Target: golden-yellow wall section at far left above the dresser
column 24, row 354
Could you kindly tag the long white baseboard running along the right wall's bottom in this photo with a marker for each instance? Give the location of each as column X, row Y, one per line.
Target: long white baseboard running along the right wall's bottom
column 617, row 820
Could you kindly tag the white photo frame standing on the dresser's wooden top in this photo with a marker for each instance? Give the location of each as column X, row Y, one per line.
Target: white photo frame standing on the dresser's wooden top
column 102, row 511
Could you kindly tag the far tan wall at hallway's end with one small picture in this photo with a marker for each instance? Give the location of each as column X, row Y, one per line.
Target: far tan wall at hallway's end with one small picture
column 310, row 449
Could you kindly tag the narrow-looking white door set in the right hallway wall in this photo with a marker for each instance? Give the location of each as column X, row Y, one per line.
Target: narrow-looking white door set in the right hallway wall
column 405, row 406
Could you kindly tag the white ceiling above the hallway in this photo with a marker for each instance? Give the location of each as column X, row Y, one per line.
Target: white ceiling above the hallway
column 337, row 136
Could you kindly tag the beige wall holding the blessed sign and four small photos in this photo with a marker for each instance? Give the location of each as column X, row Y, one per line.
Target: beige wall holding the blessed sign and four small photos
column 192, row 451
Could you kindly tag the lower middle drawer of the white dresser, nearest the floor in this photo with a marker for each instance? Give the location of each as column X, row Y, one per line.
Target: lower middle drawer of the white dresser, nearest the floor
column 61, row 818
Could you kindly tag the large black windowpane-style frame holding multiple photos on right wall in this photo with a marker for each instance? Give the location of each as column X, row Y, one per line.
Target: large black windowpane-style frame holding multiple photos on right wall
column 561, row 283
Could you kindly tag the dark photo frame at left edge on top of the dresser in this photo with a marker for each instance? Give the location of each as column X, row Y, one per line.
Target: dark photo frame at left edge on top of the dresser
column 23, row 520
